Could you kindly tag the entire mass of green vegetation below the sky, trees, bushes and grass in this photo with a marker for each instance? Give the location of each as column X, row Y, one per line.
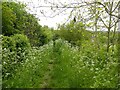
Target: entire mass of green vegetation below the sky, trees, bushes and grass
column 35, row 56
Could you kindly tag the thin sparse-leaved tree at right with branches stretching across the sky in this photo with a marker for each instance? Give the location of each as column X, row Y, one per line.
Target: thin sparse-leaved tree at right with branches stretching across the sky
column 101, row 12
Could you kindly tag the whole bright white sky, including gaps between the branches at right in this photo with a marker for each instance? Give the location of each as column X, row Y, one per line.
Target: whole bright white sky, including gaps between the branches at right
column 34, row 8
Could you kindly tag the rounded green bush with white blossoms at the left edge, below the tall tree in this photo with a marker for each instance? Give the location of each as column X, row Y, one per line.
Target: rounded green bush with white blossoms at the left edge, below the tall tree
column 14, row 51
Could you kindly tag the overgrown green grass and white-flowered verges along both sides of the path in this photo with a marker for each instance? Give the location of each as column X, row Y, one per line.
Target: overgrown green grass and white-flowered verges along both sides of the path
column 64, row 66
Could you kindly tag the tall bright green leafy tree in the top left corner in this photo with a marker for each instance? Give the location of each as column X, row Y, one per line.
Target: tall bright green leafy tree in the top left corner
column 13, row 18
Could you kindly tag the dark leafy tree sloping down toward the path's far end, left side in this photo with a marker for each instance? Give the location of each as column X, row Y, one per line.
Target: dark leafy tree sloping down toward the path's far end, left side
column 33, row 30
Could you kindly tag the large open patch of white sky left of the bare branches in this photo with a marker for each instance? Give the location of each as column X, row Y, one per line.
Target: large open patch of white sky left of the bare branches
column 51, row 22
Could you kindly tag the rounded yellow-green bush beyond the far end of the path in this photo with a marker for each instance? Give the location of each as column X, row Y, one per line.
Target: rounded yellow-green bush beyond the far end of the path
column 72, row 32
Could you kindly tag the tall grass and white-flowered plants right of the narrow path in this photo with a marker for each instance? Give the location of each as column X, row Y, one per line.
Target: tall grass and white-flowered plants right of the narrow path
column 74, row 68
